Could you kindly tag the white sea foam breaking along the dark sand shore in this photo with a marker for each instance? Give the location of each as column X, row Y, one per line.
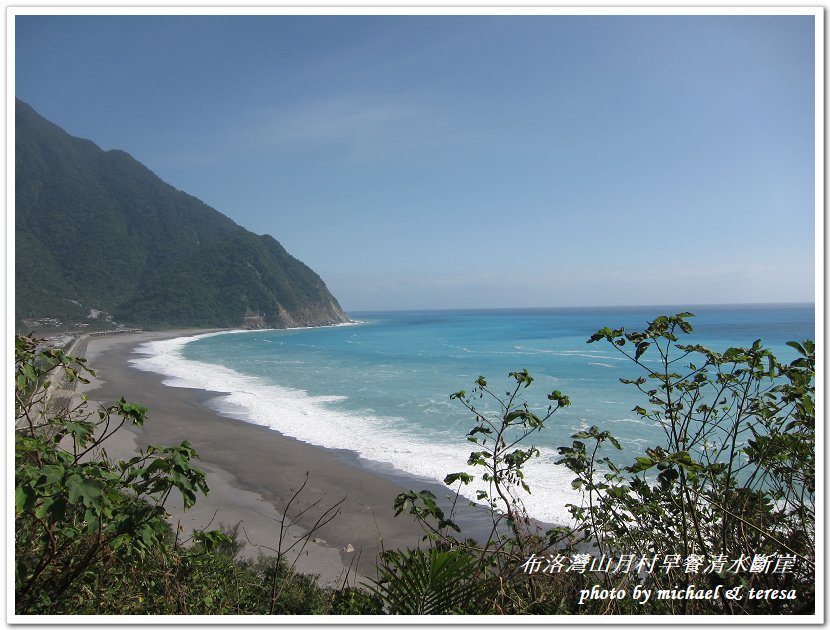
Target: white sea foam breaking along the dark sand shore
column 377, row 438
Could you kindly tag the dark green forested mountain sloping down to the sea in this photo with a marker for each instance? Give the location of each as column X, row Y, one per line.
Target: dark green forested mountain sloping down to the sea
column 98, row 231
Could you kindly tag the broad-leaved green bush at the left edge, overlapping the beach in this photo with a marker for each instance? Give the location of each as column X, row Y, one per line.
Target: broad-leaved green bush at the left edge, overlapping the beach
column 73, row 505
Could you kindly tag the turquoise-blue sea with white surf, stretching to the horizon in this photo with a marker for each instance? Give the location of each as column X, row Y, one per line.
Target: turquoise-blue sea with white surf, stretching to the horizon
column 381, row 387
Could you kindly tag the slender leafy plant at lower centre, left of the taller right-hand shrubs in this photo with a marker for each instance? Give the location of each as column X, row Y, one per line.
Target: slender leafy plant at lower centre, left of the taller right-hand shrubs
column 502, row 423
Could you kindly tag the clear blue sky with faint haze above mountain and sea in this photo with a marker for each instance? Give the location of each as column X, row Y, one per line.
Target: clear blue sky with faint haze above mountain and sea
column 469, row 161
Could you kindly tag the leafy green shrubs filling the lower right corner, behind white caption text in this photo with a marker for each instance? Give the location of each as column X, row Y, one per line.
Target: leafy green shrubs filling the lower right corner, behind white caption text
column 733, row 477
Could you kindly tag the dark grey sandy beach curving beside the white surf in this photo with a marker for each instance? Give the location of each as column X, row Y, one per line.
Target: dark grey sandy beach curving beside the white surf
column 253, row 472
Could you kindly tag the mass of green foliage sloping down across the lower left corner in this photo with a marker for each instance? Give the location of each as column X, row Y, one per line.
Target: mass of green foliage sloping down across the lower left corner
column 91, row 534
